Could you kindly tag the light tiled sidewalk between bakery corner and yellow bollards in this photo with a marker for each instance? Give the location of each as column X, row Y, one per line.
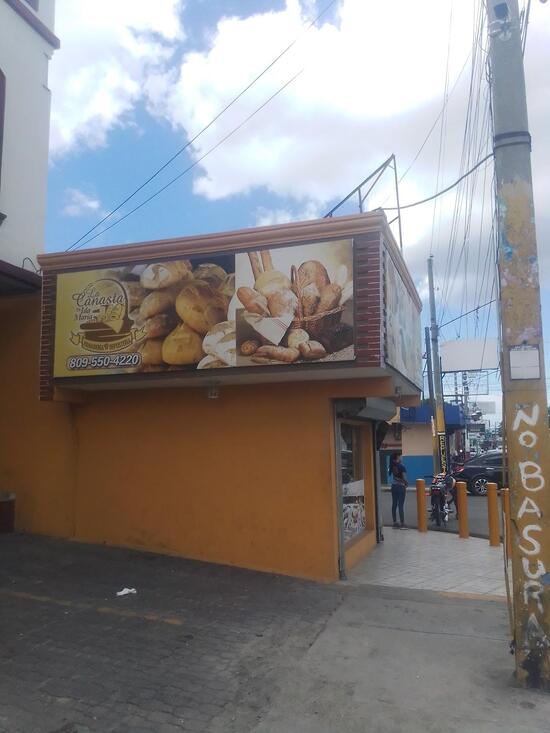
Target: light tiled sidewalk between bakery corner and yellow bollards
column 433, row 561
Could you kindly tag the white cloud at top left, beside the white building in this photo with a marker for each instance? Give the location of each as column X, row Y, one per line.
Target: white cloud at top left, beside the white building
column 108, row 51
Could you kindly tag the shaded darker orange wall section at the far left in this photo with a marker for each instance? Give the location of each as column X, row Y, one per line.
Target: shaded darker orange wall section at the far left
column 37, row 440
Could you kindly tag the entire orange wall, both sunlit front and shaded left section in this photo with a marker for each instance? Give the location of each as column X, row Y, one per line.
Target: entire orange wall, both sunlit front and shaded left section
column 247, row 479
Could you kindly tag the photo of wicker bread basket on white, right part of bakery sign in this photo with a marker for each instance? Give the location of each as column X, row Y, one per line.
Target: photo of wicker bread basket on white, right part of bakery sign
column 294, row 311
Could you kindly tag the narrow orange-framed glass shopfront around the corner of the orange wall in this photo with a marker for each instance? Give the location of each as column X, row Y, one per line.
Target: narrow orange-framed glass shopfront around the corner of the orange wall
column 356, row 490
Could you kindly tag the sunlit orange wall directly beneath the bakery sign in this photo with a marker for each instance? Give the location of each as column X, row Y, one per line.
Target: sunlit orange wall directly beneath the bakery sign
column 247, row 479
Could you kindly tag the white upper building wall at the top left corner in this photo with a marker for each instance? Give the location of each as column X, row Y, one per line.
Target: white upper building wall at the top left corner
column 27, row 42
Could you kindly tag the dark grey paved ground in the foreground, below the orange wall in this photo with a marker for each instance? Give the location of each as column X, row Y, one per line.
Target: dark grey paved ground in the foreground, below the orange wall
column 208, row 648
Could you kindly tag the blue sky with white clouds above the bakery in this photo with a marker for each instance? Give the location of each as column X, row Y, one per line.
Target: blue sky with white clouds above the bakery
column 131, row 87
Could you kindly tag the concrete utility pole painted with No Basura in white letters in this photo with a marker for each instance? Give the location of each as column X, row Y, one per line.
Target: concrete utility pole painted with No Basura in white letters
column 522, row 359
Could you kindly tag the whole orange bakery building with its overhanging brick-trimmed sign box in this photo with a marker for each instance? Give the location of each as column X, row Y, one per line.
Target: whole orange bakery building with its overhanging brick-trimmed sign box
column 220, row 395
